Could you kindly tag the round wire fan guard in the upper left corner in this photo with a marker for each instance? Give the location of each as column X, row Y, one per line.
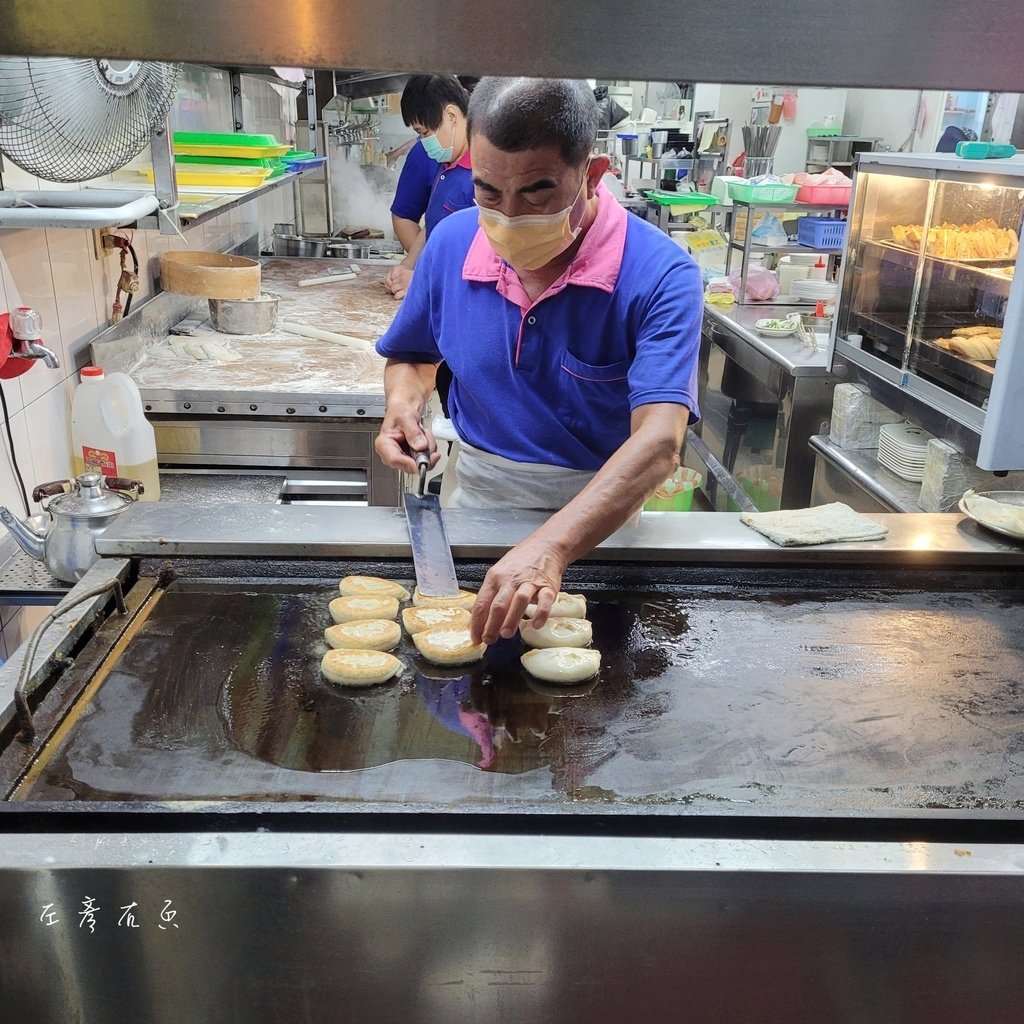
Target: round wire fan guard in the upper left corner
column 71, row 120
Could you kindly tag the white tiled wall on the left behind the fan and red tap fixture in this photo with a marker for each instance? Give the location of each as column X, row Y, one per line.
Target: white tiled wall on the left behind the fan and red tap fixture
column 56, row 272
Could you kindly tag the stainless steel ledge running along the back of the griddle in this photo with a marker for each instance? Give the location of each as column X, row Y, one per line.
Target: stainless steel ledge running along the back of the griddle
column 706, row 538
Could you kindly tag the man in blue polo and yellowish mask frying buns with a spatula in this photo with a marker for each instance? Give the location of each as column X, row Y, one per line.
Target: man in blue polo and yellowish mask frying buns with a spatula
column 573, row 333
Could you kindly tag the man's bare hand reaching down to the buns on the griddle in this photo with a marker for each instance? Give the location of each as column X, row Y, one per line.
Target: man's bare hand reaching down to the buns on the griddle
column 531, row 573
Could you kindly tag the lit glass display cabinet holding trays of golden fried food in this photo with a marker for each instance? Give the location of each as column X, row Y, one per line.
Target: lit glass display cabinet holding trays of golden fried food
column 930, row 311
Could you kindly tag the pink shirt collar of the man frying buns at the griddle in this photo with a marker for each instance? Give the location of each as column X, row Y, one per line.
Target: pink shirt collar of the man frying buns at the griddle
column 595, row 266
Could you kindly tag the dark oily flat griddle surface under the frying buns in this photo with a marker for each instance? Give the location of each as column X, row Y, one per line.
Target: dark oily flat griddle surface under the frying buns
column 714, row 701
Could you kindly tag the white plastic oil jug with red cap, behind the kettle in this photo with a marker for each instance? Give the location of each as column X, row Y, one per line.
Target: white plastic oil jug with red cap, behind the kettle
column 110, row 432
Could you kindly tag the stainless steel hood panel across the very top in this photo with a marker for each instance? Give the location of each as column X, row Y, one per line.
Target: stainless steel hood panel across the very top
column 943, row 45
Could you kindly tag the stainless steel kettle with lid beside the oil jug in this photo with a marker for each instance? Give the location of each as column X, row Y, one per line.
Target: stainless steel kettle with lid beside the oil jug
column 64, row 537
